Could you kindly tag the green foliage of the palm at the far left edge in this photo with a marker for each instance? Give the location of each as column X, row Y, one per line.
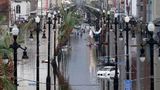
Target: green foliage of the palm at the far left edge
column 5, row 42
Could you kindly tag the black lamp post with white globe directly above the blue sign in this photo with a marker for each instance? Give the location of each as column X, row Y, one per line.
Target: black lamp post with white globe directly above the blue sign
column 127, row 47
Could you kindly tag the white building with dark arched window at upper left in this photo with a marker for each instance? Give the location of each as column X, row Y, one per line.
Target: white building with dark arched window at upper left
column 20, row 10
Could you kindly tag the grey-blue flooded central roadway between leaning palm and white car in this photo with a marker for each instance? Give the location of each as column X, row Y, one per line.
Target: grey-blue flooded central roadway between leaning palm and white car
column 82, row 65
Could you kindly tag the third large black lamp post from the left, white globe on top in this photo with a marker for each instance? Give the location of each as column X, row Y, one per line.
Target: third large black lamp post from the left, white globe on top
column 48, row 79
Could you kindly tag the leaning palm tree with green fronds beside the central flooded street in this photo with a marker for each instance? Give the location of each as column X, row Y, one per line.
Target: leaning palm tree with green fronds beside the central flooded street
column 70, row 19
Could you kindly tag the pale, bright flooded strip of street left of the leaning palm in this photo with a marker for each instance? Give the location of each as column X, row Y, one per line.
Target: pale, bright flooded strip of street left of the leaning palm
column 27, row 68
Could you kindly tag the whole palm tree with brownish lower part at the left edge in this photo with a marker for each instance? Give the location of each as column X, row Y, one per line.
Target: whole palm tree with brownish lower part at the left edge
column 6, row 70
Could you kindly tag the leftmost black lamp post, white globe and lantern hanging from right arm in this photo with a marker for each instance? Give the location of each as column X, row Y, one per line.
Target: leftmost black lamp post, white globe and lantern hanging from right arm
column 15, row 46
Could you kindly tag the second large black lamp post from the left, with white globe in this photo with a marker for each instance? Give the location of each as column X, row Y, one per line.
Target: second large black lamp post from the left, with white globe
column 37, row 20
